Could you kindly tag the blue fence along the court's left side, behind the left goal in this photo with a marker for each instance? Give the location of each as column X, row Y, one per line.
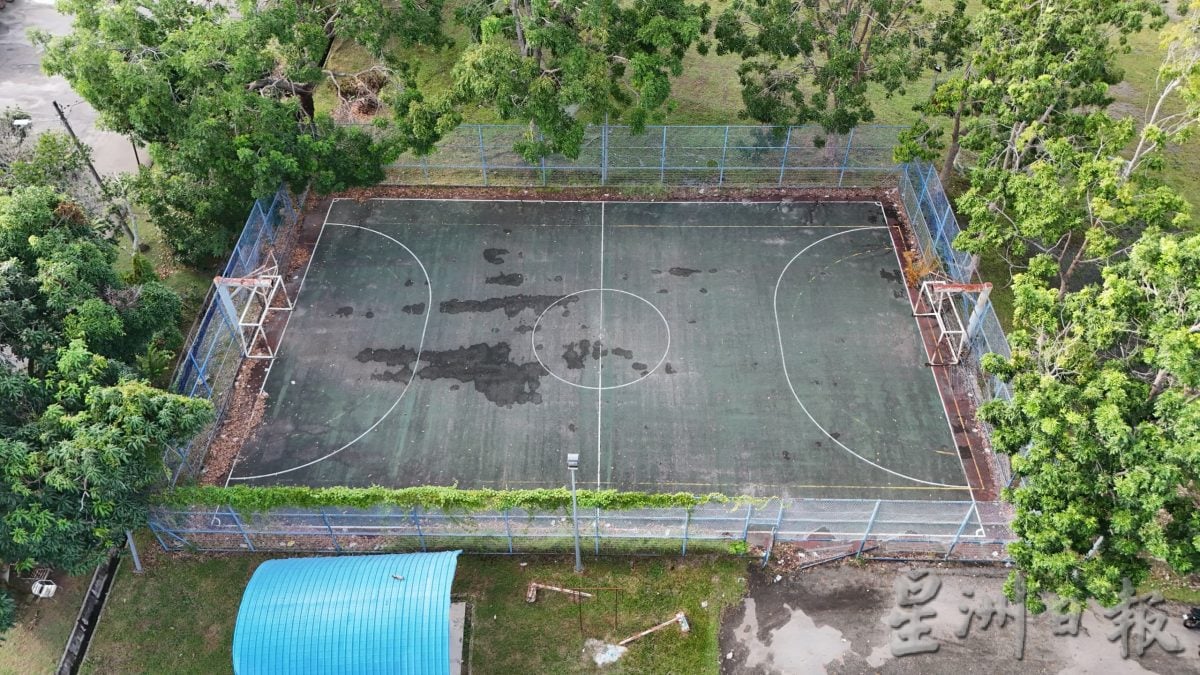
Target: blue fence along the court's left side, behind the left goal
column 209, row 365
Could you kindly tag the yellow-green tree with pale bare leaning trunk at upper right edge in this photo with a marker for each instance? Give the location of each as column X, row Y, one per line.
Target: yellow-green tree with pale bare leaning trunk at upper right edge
column 1069, row 187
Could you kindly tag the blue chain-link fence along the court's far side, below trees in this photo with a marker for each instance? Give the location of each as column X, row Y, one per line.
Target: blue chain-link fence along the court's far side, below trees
column 740, row 157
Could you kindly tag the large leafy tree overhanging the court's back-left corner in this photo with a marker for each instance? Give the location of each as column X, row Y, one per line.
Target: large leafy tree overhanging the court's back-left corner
column 225, row 99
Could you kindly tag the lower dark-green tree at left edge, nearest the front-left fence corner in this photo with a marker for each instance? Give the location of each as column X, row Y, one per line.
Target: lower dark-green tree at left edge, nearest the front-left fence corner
column 80, row 475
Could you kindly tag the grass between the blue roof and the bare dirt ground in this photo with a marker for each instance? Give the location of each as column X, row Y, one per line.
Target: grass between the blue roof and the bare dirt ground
column 511, row 636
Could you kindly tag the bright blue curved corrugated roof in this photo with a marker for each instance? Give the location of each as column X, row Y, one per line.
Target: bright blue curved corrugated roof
column 347, row 616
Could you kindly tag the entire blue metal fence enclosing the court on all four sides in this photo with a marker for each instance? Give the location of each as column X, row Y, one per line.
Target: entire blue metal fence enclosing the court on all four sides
column 482, row 156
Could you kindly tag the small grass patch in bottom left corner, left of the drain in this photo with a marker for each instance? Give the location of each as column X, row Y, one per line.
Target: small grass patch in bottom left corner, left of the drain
column 35, row 644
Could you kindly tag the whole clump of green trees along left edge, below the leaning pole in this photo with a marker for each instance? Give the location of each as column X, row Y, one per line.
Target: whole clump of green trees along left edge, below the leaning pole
column 82, row 433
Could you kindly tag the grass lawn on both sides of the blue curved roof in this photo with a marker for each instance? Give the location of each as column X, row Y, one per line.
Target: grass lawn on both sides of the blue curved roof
column 181, row 614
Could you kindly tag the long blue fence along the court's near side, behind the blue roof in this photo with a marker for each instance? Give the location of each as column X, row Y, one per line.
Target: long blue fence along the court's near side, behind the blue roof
column 896, row 527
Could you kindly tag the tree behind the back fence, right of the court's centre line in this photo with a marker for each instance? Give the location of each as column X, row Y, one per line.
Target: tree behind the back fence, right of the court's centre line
column 814, row 61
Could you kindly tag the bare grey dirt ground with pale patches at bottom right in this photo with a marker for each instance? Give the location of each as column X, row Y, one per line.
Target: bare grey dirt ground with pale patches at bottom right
column 836, row 619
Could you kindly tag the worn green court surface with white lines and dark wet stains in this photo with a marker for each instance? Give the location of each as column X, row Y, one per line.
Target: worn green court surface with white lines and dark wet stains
column 758, row 349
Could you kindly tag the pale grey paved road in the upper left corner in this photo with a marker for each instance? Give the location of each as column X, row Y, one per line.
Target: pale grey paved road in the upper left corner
column 25, row 86
